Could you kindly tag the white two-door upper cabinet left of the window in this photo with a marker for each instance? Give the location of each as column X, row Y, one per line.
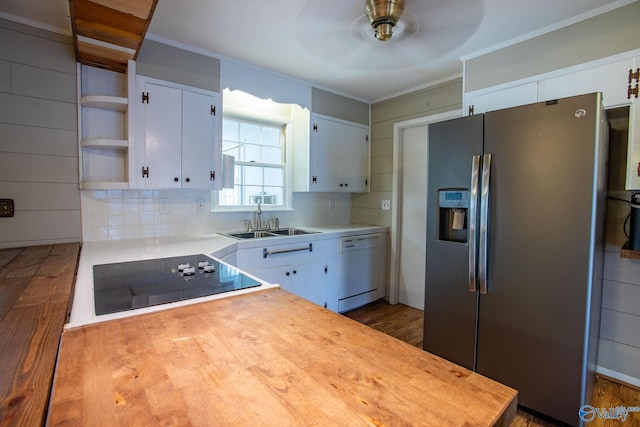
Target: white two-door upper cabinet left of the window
column 180, row 130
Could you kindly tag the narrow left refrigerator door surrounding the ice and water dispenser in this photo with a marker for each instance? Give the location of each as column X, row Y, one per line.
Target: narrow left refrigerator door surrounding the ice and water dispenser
column 450, row 309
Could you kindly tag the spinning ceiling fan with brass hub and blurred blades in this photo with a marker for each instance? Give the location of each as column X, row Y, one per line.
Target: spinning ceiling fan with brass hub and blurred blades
column 379, row 34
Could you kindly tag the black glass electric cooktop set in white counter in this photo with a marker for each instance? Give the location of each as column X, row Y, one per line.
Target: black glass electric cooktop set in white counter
column 129, row 285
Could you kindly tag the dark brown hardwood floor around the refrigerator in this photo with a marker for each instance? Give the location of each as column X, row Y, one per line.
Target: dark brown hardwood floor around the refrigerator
column 405, row 323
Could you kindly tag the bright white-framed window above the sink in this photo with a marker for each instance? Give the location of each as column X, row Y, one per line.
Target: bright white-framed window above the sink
column 260, row 163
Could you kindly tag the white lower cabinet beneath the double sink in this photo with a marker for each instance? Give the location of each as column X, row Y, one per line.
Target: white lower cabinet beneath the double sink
column 305, row 268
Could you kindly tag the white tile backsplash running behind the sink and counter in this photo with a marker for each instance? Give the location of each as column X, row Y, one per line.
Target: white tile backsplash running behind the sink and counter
column 132, row 214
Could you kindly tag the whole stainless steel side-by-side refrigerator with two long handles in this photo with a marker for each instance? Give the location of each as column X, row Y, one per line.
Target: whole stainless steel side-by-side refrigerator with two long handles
column 515, row 236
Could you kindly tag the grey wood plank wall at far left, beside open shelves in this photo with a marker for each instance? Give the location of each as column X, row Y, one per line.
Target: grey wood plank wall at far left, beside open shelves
column 38, row 137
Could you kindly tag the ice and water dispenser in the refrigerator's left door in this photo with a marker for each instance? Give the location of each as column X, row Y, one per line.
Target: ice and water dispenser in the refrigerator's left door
column 453, row 210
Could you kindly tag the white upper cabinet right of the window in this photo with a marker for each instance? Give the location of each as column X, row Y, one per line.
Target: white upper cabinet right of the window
column 338, row 157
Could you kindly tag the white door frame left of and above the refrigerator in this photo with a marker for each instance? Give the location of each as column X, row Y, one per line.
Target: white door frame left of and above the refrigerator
column 396, row 226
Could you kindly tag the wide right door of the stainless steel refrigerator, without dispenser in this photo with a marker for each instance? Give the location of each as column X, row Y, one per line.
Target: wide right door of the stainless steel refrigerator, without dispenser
column 532, row 321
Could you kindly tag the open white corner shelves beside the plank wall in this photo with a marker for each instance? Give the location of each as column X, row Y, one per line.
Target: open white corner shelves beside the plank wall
column 103, row 117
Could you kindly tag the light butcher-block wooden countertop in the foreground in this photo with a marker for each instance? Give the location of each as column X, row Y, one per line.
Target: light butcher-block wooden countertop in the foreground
column 267, row 358
